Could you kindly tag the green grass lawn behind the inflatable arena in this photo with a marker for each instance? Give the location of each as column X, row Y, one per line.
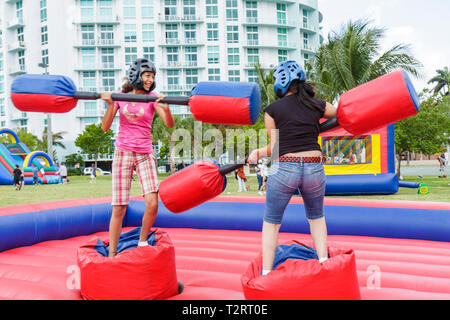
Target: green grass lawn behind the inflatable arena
column 80, row 187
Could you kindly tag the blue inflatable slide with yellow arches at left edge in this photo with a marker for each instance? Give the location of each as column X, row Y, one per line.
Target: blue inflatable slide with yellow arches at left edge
column 17, row 153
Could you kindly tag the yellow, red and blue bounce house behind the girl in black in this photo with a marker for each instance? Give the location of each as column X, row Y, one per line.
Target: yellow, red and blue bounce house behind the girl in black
column 363, row 164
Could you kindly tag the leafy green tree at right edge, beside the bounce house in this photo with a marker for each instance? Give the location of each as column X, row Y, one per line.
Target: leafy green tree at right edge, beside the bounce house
column 426, row 132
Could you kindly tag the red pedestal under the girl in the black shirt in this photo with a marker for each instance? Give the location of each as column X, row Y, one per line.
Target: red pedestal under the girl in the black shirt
column 298, row 279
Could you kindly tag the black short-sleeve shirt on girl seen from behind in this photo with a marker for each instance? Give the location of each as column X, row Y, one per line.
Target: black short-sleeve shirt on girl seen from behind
column 297, row 124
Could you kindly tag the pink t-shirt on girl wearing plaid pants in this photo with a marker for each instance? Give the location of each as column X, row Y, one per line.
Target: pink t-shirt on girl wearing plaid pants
column 135, row 130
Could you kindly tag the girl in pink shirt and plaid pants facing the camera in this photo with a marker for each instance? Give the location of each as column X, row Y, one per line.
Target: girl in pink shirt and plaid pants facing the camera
column 133, row 149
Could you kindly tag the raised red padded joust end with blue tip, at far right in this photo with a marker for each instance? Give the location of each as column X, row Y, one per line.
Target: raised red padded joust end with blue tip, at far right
column 377, row 103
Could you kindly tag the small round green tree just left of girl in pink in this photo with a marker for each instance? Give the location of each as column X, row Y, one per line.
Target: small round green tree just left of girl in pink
column 94, row 141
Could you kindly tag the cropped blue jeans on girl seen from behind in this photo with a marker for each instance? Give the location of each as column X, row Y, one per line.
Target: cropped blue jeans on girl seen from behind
column 284, row 178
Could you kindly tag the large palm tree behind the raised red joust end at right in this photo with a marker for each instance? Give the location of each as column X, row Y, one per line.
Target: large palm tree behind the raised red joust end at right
column 352, row 57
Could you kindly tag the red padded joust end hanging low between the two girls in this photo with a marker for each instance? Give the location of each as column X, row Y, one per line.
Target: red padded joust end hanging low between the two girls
column 191, row 186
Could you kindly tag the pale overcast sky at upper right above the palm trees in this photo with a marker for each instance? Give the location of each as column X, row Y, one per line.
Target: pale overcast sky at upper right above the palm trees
column 425, row 25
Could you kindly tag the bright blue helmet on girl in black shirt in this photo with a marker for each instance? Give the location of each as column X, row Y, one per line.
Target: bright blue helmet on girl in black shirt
column 284, row 74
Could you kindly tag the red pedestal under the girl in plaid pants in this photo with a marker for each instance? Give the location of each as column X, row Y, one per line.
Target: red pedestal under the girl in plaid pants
column 139, row 273
